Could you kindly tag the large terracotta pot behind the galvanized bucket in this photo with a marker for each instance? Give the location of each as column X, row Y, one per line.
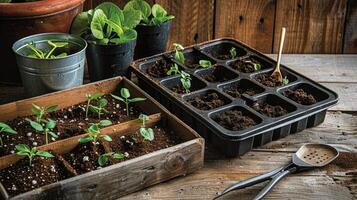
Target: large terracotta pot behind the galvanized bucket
column 18, row 20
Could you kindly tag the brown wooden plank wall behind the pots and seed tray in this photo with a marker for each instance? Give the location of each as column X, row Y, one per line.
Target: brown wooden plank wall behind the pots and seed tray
column 313, row 26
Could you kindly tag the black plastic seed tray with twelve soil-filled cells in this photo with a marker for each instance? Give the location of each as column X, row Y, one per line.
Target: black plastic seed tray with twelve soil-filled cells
column 233, row 106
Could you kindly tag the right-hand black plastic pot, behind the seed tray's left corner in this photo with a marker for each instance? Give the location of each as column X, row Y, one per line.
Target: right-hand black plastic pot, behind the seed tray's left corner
column 152, row 39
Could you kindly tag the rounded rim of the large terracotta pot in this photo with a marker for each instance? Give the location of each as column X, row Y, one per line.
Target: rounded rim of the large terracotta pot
column 37, row 8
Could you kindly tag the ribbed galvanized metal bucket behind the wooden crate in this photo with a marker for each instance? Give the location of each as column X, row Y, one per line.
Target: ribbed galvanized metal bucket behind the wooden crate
column 41, row 76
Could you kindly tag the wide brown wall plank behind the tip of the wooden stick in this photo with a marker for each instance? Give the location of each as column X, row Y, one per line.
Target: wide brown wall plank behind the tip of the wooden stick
column 313, row 26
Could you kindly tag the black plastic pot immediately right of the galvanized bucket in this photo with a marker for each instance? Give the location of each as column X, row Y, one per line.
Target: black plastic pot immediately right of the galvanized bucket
column 106, row 61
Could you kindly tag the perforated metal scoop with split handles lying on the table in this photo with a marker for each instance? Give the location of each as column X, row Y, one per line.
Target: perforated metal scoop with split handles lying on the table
column 307, row 157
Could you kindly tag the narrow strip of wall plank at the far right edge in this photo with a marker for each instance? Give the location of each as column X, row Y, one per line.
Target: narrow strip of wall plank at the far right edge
column 350, row 41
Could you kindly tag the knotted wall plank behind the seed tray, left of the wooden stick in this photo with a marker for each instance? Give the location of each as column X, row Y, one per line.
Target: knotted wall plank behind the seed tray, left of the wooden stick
column 251, row 22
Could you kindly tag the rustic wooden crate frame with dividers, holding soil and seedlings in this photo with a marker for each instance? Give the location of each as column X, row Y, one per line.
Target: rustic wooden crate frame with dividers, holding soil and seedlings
column 119, row 179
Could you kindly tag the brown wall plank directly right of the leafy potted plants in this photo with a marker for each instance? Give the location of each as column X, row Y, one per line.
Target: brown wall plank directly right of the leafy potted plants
column 193, row 21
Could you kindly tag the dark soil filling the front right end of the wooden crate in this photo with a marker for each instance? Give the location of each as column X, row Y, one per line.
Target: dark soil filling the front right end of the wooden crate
column 134, row 144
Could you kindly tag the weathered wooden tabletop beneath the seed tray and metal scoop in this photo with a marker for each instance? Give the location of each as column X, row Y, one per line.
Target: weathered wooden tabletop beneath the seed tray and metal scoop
column 335, row 181
